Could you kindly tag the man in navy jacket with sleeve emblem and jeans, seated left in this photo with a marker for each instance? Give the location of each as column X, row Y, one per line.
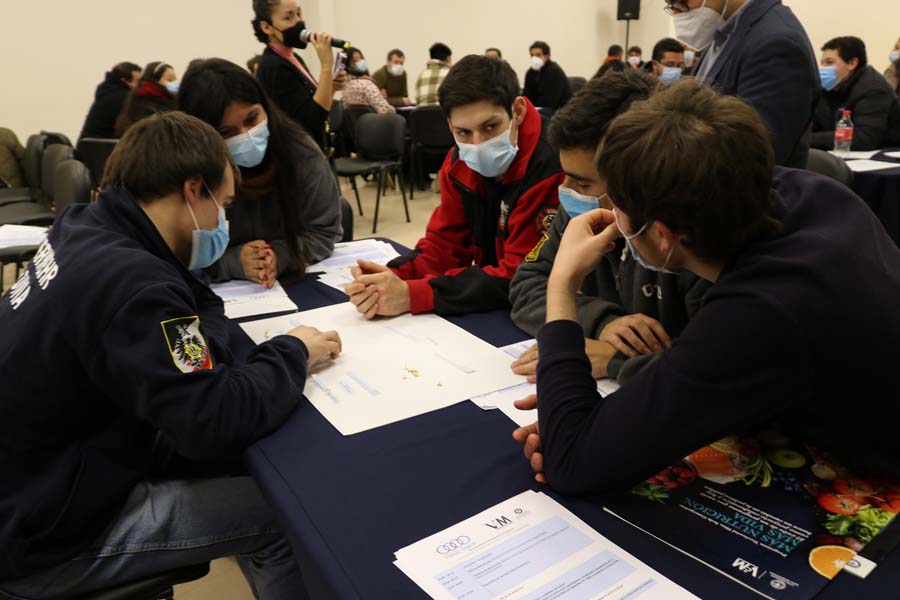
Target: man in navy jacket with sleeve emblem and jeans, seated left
column 119, row 466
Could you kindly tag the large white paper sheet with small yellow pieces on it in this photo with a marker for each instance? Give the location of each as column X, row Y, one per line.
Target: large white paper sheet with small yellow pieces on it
column 393, row 369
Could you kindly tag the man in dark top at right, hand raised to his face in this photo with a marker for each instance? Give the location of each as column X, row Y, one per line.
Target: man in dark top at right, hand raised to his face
column 790, row 257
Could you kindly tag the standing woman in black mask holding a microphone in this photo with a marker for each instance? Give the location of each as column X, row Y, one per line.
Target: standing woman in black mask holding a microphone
column 283, row 73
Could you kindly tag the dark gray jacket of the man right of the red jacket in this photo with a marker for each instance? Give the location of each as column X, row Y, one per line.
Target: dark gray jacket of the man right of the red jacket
column 617, row 287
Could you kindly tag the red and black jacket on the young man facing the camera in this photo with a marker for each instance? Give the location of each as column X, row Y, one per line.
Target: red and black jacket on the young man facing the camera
column 475, row 240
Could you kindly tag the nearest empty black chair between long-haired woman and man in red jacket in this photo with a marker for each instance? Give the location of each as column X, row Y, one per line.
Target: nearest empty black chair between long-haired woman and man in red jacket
column 380, row 143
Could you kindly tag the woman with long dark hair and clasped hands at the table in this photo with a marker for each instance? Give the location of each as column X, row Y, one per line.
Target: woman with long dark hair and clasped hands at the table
column 287, row 209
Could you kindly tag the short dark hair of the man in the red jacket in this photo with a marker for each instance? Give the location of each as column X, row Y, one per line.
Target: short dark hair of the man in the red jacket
column 476, row 78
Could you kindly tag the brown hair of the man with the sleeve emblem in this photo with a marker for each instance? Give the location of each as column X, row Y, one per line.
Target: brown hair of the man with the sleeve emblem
column 158, row 154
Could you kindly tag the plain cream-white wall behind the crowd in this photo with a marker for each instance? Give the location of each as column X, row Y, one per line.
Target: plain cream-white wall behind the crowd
column 55, row 54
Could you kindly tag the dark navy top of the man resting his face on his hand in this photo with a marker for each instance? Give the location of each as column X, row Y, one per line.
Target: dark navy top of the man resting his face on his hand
column 801, row 327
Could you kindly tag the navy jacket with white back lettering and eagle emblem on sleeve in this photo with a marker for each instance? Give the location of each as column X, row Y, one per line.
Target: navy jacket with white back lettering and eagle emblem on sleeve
column 112, row 350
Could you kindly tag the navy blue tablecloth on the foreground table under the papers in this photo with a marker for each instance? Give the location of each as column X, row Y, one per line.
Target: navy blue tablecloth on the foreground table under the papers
column 348, row 503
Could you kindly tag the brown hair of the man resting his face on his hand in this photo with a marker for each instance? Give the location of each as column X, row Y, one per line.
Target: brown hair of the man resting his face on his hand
column 700, row 162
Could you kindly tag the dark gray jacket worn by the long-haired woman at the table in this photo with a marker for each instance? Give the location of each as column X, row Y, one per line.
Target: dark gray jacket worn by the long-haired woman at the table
column 260, row 219
